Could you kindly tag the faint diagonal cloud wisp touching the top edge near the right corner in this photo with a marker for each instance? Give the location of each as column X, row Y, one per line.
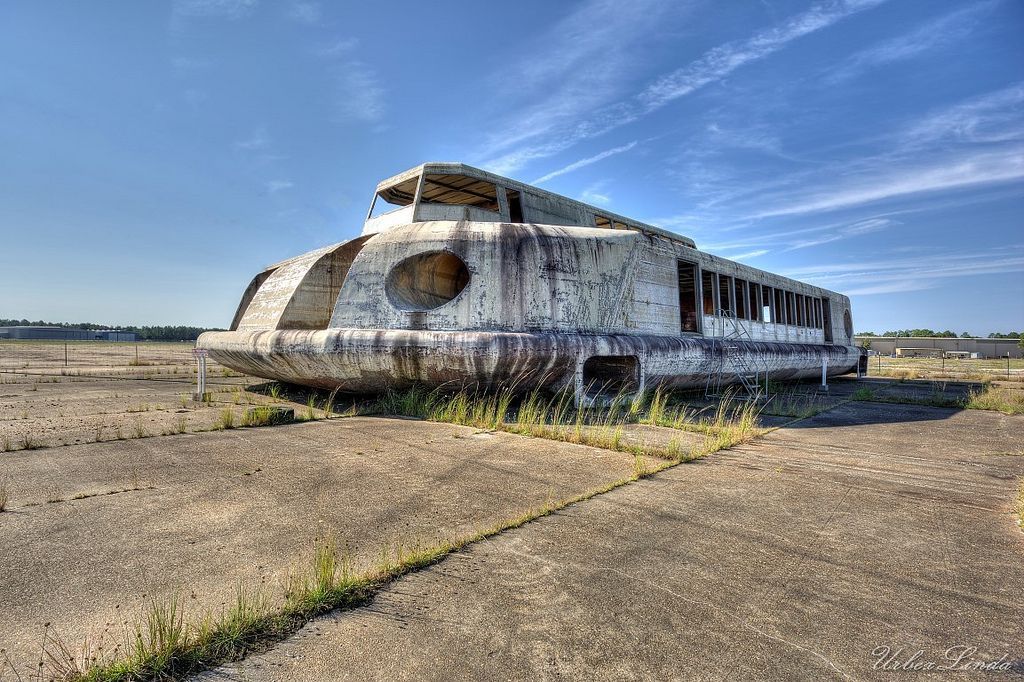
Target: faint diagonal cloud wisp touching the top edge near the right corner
column 932, row 35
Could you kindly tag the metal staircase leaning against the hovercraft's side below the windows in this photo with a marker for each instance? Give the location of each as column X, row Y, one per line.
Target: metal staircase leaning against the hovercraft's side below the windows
column 731, row 364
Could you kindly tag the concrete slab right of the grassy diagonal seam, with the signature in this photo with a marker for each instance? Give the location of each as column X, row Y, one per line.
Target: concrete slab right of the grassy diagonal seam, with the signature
column 801, row 557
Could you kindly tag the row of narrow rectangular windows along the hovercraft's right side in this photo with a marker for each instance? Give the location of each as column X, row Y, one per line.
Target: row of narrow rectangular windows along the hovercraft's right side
column 750, row 301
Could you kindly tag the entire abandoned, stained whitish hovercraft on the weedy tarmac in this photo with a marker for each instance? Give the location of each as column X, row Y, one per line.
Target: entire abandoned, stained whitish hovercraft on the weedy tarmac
column 464, row 278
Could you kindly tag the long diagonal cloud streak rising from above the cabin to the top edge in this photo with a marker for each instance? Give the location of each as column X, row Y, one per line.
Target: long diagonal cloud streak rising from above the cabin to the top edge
column 562, row 125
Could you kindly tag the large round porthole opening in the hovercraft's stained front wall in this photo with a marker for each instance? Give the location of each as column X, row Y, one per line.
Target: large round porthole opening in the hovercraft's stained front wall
column 426, row 281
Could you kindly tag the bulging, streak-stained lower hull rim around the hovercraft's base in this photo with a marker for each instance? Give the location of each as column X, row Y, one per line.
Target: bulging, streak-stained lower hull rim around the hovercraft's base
column 372, row 361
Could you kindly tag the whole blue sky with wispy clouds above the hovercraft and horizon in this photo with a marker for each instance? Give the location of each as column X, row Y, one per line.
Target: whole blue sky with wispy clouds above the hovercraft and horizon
column 154, row 156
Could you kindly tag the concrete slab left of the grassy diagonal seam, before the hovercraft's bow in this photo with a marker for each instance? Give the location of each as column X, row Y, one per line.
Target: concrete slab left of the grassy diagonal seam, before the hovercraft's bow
column 94, row 531
